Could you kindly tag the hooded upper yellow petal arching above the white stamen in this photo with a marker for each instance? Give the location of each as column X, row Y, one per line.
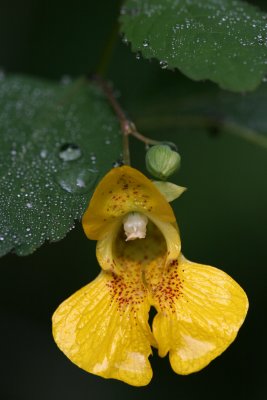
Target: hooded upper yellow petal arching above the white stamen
column 123, row 190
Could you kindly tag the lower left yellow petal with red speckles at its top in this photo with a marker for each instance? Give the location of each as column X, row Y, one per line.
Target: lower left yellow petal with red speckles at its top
column 103, row 328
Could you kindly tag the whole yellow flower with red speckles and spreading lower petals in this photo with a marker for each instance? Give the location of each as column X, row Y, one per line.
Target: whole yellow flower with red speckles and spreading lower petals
column 103, row 327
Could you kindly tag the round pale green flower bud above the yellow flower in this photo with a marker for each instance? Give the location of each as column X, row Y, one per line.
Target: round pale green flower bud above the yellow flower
column 162, row 161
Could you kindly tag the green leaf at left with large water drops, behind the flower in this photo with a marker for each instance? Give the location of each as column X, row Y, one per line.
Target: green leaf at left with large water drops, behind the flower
column 56, row 141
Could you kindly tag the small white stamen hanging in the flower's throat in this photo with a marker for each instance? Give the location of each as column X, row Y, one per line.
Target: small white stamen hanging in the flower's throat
column 135, row 226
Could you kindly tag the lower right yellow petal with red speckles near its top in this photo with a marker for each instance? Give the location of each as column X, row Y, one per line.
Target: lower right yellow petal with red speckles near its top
column 200, row 310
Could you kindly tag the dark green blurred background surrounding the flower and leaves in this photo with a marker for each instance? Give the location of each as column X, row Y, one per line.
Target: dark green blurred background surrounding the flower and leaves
column 222, row 218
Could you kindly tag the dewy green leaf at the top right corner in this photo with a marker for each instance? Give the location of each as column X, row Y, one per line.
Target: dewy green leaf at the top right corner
column 221, row 40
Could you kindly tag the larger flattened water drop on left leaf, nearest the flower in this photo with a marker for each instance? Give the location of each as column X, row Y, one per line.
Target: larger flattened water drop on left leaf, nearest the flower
column 77, row 179
